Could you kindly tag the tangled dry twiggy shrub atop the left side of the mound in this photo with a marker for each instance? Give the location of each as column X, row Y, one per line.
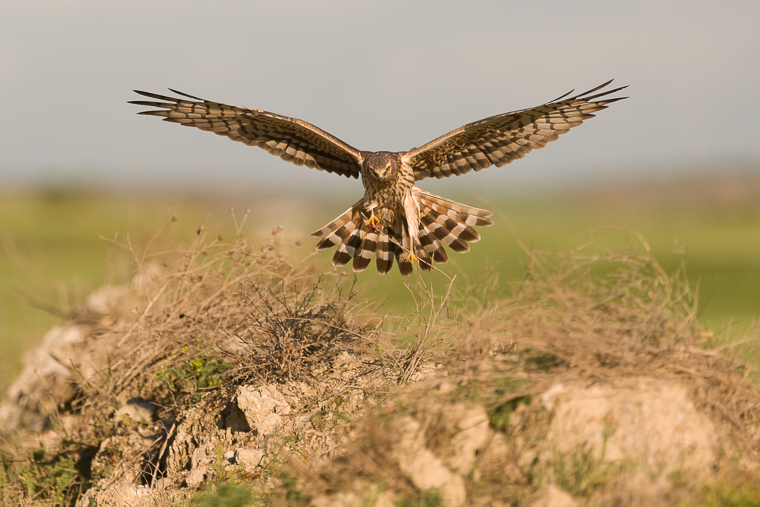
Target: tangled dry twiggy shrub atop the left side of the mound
column 218, row 311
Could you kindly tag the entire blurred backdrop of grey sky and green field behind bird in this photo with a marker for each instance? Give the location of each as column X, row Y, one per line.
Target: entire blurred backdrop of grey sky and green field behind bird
column 679, row 161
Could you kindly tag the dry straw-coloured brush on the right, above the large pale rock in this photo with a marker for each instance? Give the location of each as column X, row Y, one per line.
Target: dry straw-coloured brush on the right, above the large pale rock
column 599, row 314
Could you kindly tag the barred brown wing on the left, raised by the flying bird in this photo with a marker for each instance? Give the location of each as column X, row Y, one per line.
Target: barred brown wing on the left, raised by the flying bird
column 291, row 139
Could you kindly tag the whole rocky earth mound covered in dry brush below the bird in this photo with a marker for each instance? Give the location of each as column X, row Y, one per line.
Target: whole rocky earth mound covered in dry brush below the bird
column 231, row 369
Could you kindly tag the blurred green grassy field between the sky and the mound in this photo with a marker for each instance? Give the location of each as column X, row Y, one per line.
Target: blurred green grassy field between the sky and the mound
column 51, row 254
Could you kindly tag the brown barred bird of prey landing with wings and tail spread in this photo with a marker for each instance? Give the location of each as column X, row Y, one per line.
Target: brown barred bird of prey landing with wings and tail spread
column 394, row 219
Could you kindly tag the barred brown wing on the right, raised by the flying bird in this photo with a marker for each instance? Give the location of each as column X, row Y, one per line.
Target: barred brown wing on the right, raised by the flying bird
column 500, row 139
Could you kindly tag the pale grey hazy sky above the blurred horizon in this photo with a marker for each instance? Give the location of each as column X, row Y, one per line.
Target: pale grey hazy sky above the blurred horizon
column 381, row 76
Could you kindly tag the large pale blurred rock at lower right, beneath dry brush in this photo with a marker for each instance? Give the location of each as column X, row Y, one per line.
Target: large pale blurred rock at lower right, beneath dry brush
column 646, row 421
